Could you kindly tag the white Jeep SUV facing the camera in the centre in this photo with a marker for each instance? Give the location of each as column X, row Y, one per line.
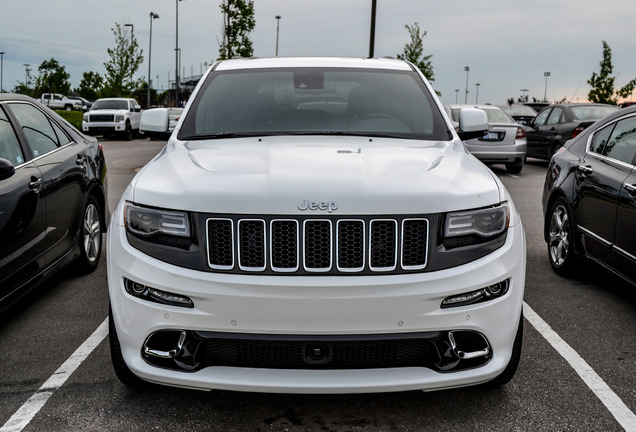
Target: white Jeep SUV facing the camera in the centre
column 315, row 225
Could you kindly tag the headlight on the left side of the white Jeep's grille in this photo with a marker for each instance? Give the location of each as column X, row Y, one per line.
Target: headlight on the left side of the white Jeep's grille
column 156, row 224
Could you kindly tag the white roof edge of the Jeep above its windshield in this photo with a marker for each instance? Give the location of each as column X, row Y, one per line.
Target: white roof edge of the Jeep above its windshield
column 346, row 62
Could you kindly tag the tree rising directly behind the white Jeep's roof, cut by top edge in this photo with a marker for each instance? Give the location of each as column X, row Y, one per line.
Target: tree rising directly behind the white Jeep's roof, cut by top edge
column 238, row 23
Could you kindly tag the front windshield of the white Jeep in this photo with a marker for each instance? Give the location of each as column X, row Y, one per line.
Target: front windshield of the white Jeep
column 314, row 101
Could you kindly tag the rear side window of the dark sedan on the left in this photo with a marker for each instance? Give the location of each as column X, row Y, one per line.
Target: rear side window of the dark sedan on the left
column 38, row 129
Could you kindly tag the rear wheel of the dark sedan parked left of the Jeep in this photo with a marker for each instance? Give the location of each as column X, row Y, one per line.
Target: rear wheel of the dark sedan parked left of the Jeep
column 90, row 238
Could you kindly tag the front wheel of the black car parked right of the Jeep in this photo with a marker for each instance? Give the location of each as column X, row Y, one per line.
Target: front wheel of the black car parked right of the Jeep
column 561, row 238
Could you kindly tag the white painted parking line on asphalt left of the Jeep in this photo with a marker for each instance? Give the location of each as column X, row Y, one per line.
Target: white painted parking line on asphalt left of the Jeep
column 23, row 416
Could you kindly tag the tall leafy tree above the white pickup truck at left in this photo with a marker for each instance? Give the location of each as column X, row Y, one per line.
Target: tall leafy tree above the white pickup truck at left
column 124, row 61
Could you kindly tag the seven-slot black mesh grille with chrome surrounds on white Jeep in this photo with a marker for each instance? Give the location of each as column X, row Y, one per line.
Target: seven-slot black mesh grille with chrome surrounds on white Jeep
column 317, row 246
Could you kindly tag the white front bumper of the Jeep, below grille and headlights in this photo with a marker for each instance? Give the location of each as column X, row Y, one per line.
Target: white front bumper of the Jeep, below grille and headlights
column 306, row 307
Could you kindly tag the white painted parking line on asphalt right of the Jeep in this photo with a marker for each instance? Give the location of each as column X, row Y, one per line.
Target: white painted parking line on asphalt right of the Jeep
column 612, row 402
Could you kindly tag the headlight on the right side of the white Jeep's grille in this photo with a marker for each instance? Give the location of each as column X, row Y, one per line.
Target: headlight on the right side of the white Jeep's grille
column 476, row 226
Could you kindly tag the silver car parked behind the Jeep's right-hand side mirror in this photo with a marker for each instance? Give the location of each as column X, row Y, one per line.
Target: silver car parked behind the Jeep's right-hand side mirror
column 505, row 142
